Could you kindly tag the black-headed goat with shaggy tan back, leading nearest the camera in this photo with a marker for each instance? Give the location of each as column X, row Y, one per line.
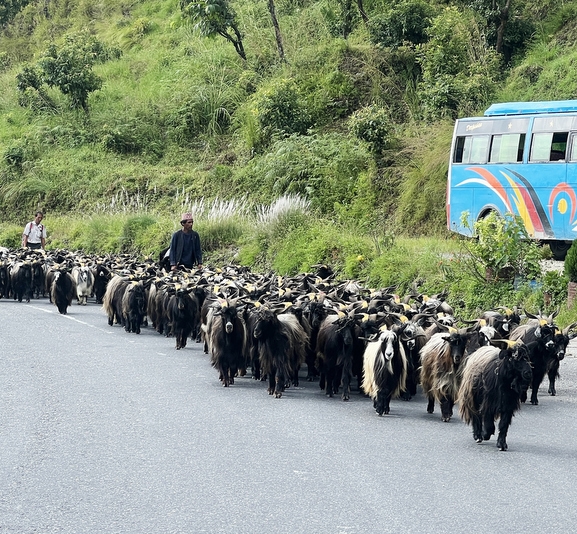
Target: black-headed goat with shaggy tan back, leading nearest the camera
column 493, row 381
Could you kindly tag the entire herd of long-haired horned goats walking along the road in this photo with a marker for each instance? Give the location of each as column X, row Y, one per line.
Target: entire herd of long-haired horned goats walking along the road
column 346, row 334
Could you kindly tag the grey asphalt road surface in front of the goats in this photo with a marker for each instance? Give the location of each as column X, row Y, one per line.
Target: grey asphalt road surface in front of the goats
column 105, row 431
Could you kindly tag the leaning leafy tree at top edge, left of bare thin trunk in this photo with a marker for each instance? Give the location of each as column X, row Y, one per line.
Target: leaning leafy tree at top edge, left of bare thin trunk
column 215, row 17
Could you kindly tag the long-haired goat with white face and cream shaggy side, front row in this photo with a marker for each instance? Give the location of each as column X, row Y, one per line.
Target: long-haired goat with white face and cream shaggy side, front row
column 384, row 369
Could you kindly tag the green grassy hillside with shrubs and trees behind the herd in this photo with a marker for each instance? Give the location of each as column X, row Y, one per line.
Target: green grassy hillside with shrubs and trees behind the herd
column 116, row 117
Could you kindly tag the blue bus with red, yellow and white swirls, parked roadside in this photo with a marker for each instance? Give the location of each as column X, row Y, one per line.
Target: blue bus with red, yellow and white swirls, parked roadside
column 519, row 158
